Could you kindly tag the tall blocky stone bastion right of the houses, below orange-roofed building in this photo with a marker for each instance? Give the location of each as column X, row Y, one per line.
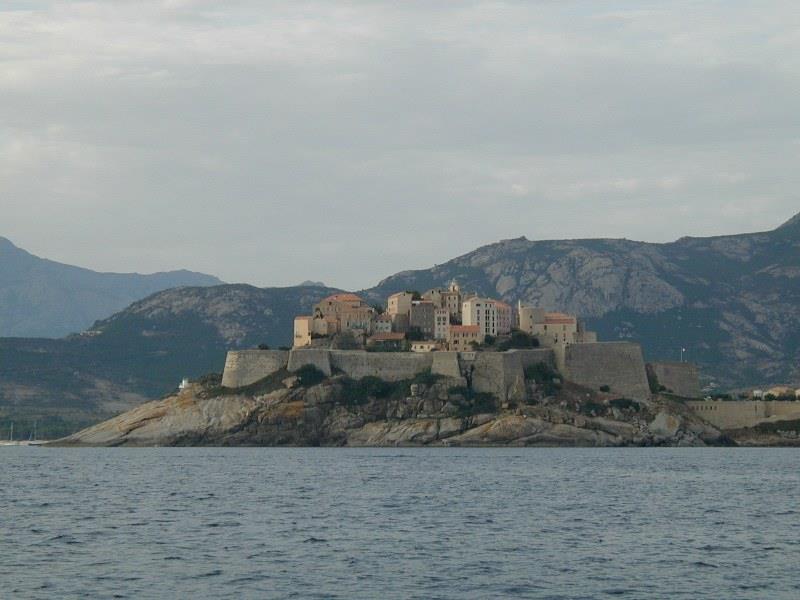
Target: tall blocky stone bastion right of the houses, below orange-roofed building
column 619, row 365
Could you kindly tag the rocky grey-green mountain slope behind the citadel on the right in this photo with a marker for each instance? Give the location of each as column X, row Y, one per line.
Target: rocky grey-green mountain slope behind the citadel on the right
column 732, row 301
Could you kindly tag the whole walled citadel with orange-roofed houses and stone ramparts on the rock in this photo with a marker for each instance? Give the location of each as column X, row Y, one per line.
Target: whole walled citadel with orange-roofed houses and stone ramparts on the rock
column 486, row 344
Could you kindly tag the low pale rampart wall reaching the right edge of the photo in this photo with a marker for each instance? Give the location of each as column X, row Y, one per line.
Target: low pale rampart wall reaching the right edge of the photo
column 745, row 413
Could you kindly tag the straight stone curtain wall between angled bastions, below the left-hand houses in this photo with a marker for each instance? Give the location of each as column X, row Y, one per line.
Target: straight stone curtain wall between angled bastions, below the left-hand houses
column 389, row 366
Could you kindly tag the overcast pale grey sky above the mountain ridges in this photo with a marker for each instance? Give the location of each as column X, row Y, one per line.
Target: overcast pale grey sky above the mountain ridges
column 275, row 142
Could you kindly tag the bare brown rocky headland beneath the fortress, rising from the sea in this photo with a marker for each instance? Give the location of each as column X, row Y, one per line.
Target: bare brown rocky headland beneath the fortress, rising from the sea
column 325, row 414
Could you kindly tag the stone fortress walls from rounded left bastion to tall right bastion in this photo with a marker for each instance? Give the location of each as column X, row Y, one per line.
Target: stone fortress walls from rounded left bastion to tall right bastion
column 499, row 373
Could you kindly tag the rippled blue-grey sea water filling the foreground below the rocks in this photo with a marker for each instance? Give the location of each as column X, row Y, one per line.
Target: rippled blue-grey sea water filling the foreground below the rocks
column 410, row 523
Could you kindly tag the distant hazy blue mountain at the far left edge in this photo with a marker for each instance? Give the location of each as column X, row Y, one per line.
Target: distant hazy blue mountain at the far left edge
column 43, row 298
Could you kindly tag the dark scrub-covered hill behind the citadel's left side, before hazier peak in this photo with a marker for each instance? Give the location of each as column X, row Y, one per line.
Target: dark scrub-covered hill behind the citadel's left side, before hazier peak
column 140, row 353
